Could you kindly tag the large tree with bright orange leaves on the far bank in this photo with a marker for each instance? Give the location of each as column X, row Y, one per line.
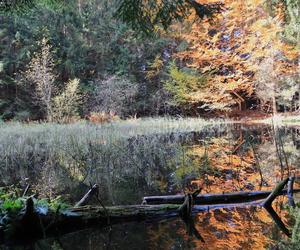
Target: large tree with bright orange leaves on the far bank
column 232, row 50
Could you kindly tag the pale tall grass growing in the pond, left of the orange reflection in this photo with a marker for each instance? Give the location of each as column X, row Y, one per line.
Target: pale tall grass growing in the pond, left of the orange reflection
column 56, row 157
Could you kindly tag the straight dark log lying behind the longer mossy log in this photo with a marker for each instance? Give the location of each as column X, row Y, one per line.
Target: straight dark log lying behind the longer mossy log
column 213, row 199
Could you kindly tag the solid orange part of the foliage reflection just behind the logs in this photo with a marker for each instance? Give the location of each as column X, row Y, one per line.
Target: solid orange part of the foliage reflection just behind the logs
column 229, row 169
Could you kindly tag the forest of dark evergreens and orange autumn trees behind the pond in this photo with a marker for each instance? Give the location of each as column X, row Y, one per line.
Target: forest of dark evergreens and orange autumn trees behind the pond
column 84, row 59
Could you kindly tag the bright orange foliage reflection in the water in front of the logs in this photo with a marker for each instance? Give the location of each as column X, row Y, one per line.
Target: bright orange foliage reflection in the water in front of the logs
column 240, row 228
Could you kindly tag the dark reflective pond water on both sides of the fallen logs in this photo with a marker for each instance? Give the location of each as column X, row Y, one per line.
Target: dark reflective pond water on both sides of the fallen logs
column 220, row 158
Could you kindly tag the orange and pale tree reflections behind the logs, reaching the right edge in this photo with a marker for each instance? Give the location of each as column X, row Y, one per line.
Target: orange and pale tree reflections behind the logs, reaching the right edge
column 243, row 162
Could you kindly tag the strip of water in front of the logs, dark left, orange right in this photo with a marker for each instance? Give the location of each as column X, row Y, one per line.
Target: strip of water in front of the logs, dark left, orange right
column 221, row 229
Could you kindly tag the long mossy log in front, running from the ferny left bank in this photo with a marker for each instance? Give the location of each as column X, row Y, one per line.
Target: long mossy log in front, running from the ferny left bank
column 73, row 219
